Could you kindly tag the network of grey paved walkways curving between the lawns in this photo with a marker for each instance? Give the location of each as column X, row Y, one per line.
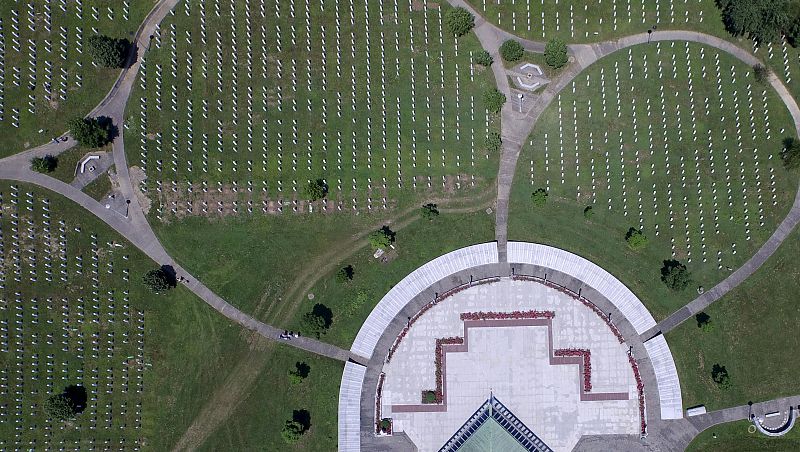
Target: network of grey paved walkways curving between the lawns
column 516, row 127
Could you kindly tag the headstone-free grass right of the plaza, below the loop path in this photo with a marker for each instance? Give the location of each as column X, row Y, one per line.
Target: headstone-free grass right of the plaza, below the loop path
column 753, row 336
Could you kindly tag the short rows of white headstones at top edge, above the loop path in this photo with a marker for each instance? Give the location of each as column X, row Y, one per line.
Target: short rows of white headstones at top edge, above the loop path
column 621, row 11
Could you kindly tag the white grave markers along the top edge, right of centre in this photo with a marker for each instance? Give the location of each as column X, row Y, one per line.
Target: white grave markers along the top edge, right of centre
column 548, row 18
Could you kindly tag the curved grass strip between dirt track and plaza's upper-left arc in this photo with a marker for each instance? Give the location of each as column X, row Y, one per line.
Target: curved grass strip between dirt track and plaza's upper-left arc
column 422, row 241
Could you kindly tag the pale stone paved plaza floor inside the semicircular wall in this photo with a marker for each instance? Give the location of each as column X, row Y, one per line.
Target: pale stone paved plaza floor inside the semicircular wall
column 513, row 364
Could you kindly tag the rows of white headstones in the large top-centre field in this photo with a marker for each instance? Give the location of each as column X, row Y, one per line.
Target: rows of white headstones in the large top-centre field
column 271, row 91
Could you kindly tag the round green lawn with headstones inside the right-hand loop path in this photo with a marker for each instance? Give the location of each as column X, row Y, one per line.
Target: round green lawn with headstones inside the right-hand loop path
column 650, row 154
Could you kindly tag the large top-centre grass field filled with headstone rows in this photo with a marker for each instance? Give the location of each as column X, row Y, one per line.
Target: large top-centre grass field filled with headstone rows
column 373, row 97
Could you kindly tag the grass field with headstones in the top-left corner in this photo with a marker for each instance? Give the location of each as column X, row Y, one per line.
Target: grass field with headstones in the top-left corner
column 46, row 76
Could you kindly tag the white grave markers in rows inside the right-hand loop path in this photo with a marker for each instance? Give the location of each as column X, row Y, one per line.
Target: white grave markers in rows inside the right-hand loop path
column 690, row 189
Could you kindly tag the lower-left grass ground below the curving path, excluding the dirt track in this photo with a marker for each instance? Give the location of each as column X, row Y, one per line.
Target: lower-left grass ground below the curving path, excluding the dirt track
column 88, row 333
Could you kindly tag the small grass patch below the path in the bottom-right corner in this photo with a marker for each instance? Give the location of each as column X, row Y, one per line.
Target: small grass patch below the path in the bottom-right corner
column 735, row 437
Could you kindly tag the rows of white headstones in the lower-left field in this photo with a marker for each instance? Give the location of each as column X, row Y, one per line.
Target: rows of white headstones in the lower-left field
column 42, row 336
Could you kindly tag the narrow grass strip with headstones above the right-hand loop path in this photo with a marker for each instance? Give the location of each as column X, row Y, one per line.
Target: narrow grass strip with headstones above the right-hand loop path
column 598, row 20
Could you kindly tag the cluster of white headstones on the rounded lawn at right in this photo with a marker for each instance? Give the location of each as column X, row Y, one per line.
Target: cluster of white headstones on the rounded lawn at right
column 741, row 178
